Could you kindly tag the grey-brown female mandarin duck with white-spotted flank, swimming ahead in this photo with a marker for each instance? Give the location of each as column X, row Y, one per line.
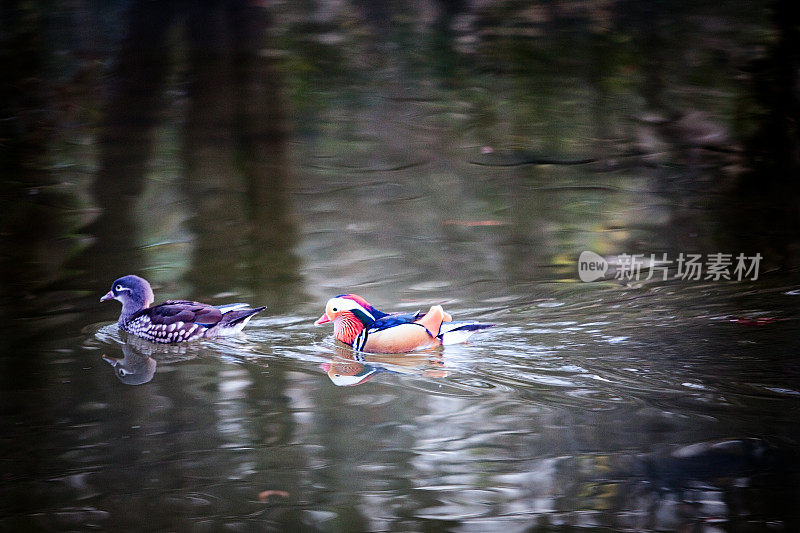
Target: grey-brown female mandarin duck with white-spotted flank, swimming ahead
column 174, row 320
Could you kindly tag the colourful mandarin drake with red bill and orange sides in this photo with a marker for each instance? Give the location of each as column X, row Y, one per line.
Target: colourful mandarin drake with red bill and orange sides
column 358, row 324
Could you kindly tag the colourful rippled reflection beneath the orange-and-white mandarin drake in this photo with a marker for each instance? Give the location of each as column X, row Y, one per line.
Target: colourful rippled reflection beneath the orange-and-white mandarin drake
column 347, row 368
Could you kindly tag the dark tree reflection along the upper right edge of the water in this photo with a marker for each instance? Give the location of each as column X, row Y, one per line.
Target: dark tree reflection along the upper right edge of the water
column 763, row 212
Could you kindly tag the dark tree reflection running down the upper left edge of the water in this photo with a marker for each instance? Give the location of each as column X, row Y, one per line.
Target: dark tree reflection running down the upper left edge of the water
column 27, row 228
